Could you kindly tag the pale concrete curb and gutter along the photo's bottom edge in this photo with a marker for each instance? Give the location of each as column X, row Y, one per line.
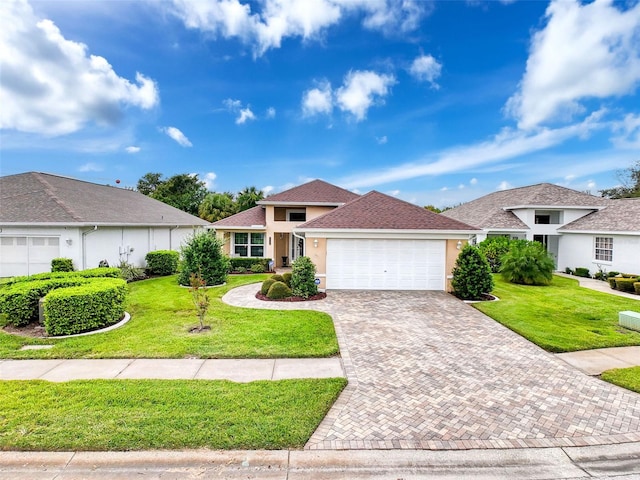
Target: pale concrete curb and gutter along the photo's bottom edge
column 604, row 462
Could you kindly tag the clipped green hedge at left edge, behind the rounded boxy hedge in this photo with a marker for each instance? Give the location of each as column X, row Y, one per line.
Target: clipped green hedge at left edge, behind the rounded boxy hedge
column 19, row 302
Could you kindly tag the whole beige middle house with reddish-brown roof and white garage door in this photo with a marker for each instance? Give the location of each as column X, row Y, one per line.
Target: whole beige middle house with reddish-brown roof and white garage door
column 369, row 242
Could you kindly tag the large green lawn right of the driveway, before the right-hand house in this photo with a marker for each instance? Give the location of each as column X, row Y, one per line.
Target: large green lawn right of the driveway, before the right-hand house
column 563, row 316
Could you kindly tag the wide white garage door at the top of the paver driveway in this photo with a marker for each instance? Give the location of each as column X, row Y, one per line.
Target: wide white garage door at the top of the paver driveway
column 360, row 264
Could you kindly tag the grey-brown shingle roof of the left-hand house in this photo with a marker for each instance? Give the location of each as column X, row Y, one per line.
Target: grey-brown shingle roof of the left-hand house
column 50, row 199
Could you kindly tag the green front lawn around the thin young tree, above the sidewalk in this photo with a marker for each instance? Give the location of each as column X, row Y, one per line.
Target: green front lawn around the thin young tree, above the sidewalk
column 161, row 314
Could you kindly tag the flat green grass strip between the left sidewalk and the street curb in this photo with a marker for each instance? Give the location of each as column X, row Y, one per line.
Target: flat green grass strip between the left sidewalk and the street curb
column 159, row 414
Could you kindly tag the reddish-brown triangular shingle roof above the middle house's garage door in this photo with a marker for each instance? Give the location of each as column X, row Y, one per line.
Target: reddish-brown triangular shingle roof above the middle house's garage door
column 377, row 211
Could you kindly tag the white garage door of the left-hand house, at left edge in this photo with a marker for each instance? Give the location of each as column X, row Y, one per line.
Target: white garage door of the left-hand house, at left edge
column 27, row 255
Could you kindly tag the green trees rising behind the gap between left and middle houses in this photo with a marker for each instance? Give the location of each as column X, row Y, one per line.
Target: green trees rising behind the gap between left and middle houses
column 190, row 194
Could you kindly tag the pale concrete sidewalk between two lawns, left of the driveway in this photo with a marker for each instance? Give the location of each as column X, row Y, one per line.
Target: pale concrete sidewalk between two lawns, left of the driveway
column 237, row 370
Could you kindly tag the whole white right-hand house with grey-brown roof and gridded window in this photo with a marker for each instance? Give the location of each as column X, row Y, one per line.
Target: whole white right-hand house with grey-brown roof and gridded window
column 578, row 229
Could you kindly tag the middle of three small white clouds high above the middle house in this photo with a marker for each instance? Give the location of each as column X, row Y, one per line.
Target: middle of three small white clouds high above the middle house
column 361, row 90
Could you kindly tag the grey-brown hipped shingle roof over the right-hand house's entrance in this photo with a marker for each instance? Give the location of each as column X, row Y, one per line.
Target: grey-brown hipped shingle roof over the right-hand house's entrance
column 488, row 211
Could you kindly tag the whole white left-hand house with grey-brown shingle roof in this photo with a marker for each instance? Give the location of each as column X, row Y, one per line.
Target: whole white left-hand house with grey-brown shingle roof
column 44, row 216
